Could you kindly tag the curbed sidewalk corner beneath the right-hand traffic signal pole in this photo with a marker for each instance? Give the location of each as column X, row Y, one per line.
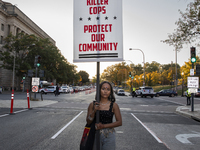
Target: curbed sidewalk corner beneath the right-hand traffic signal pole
column 186, row 111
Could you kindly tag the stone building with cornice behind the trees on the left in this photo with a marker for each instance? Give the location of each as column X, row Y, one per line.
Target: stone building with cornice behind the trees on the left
column 12, row 19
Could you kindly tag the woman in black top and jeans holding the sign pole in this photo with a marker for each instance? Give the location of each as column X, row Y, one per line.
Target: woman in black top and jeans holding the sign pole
column 107, row 108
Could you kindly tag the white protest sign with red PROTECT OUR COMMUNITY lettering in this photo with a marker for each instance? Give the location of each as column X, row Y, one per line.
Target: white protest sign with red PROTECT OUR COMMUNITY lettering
column 98, row 30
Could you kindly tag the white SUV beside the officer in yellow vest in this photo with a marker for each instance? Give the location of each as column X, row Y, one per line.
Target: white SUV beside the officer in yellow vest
column 145, row 91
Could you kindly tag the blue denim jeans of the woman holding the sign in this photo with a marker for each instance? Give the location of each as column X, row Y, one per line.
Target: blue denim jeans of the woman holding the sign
column 107, row 139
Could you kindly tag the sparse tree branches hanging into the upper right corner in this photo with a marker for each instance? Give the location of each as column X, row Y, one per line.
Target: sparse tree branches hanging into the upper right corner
column 188, row 29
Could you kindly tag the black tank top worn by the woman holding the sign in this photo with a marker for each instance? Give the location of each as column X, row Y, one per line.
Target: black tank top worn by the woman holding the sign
column 106, row 116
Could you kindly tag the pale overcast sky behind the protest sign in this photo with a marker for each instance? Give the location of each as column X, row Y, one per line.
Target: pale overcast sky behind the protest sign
column 145, row 24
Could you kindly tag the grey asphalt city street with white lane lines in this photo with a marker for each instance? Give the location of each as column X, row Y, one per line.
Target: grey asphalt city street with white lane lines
column 148, row 123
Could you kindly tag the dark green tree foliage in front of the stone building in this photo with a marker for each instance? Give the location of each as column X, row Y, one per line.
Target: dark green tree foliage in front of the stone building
column 26, row 47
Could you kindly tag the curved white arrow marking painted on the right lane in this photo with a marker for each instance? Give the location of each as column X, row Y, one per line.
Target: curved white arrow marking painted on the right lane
column 183, row 138
